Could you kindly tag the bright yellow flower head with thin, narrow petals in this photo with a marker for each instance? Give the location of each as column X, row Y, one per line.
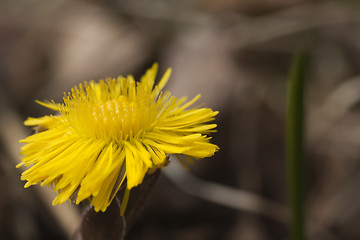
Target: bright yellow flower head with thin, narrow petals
column 110, row 131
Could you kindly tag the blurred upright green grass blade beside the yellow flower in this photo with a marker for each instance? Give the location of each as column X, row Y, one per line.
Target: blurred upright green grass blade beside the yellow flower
column 295, row 144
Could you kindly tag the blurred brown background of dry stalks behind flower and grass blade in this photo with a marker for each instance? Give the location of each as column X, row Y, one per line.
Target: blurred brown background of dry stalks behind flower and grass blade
column 237, row 54
